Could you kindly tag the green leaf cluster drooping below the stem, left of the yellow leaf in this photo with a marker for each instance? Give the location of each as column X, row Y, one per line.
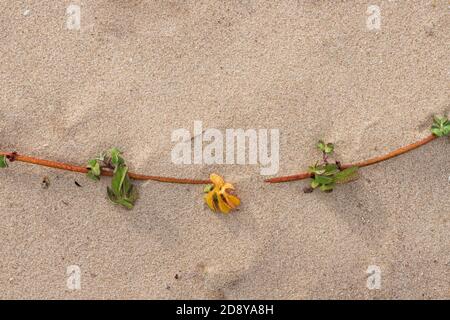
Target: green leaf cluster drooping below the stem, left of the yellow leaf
column 122, row 191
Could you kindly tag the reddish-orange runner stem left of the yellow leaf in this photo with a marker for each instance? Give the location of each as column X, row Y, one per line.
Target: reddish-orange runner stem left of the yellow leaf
column 12, row 156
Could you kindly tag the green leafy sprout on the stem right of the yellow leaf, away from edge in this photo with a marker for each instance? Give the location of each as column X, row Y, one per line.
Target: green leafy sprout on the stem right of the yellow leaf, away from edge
column 326, row 175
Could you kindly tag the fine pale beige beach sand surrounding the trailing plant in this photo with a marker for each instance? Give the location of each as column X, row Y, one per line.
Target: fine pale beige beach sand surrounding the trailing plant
column 137, row 70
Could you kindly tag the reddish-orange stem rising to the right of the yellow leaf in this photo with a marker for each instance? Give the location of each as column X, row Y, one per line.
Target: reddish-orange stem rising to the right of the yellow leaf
column 365, row 163
